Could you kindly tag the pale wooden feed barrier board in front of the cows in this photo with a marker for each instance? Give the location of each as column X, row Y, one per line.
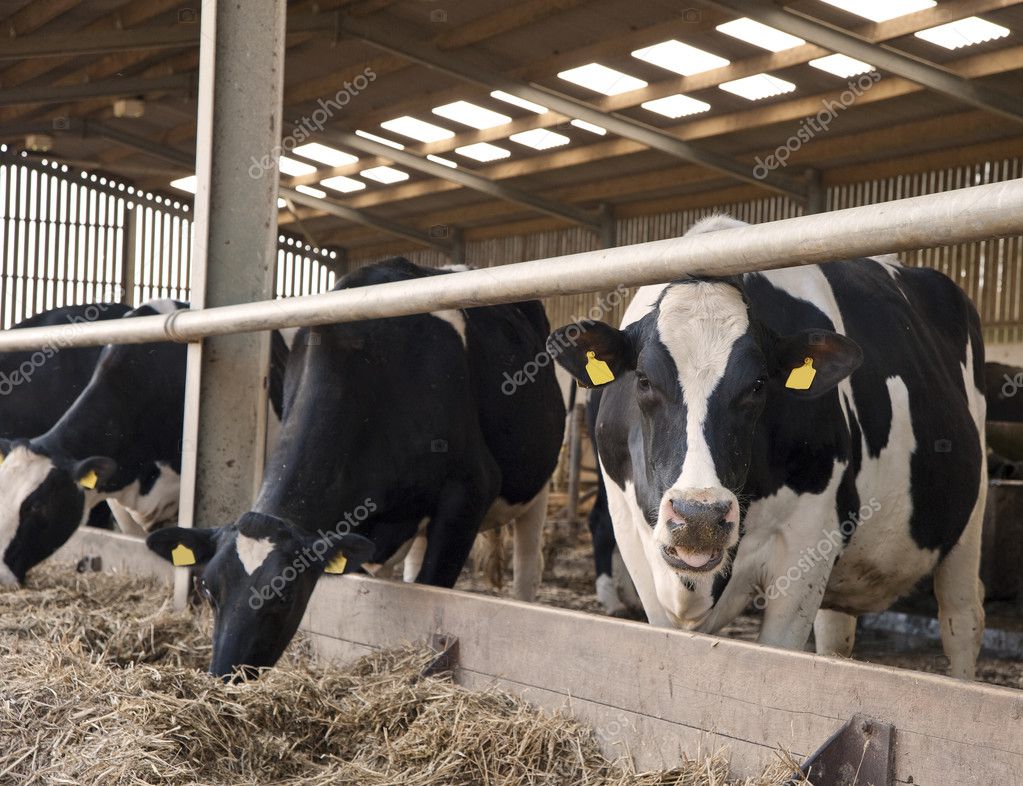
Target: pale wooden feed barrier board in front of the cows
column 656, row 694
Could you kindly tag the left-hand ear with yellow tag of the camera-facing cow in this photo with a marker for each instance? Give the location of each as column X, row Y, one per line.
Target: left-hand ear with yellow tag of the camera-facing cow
column 595, row 354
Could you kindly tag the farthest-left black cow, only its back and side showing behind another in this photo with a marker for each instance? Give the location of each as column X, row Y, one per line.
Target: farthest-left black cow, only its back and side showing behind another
column 38, row 386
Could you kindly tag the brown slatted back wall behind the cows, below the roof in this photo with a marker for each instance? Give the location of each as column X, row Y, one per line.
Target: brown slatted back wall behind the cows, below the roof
column 991, row 273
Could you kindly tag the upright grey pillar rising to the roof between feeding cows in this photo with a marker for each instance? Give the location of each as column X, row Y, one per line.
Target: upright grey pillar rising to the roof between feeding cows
column 242, row 68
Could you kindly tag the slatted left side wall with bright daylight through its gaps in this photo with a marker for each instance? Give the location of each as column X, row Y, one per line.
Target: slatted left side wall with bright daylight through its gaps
column 71, row 238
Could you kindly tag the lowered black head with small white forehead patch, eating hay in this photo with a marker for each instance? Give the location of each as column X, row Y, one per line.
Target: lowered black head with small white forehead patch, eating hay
column 258, row 575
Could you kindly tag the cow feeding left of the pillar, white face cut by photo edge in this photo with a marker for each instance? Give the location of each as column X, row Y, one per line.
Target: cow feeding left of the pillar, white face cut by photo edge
column 119, row 442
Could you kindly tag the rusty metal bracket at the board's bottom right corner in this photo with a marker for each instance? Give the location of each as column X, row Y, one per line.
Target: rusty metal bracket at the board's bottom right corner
column 861, row 754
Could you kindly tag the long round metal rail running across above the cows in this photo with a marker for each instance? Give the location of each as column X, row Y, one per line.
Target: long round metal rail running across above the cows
column 967, row 214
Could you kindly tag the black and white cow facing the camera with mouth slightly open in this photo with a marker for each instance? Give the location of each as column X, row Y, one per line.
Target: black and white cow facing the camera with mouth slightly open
column 824, row 494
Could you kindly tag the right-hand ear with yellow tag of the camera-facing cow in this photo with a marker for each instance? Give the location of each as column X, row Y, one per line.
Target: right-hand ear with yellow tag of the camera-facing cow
column 813, row 363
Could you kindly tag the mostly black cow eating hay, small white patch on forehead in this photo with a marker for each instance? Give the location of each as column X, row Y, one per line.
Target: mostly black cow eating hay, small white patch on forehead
column 391, row 427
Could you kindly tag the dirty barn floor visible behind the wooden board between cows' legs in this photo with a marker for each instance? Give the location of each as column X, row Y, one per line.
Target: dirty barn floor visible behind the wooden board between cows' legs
column 568, row 584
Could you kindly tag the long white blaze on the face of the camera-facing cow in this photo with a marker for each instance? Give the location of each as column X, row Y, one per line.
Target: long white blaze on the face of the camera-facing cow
column 699, row 324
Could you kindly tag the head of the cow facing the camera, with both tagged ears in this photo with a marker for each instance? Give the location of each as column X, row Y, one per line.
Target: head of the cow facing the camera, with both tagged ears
column 701, row 371
